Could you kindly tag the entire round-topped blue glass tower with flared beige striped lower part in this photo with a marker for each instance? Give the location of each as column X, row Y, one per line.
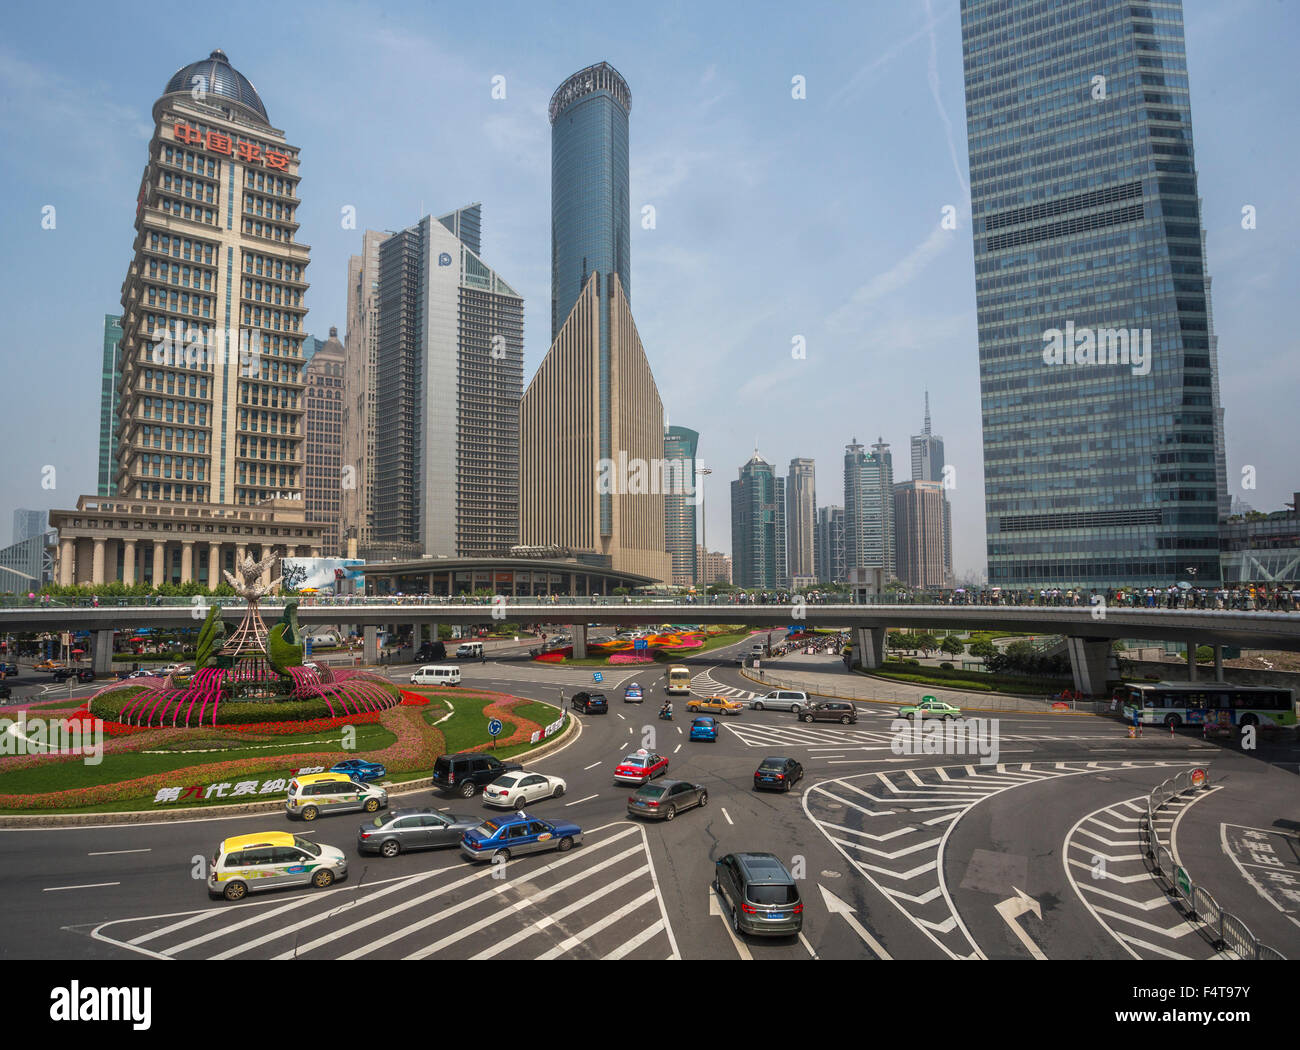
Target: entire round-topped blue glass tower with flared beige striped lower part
column 593, row 413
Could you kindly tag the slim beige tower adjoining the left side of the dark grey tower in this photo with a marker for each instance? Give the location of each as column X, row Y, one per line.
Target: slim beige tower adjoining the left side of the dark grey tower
column 362, row 346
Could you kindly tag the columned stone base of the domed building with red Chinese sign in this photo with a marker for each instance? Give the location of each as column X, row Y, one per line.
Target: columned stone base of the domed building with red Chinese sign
column 115, row 540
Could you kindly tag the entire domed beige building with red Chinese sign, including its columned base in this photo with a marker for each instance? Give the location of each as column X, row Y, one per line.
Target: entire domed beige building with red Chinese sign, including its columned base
column 210, row 431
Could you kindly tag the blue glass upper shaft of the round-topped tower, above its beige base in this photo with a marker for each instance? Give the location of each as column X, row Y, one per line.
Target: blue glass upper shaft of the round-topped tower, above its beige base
column 591, row 214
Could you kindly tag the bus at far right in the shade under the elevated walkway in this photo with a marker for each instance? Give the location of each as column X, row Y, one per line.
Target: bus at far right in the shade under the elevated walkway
column 1197, row 704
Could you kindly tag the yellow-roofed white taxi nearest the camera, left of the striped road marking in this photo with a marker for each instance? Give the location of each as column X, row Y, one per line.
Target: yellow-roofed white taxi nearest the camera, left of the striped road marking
column 271, row 861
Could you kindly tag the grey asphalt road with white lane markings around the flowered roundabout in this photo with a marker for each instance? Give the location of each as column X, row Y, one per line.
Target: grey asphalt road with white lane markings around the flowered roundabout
column 905, row 857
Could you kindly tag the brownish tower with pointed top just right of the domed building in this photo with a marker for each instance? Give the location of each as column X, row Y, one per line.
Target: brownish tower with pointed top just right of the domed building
column 324, row 426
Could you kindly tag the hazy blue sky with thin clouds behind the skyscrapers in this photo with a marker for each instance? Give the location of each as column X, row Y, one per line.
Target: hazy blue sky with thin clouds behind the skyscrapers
column 774, row 218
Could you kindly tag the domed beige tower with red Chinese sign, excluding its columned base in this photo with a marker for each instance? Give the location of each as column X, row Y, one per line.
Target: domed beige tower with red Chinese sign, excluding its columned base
column 213, row 305
